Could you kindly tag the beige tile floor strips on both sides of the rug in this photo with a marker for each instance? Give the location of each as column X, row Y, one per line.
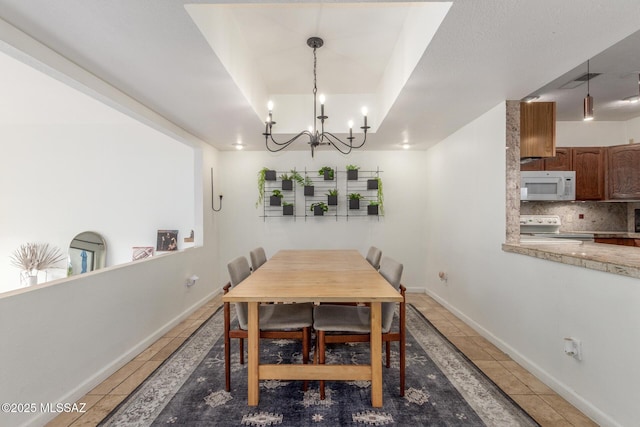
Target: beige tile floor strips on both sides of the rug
column 545, row 406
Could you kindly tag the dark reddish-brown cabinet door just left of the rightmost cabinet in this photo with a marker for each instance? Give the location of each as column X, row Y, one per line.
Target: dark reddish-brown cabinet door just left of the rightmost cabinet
column 589, row 164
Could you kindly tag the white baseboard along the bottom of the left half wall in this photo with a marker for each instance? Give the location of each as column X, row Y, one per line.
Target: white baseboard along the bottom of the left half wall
column 93, row 381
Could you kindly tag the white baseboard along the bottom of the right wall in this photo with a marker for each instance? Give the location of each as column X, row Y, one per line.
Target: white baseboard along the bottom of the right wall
column 583, row 405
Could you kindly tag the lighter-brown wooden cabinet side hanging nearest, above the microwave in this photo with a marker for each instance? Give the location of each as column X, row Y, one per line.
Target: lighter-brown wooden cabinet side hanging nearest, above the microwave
column 537, row 129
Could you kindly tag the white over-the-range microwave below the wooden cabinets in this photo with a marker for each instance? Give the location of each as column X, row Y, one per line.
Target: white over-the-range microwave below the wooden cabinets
column 548, row 185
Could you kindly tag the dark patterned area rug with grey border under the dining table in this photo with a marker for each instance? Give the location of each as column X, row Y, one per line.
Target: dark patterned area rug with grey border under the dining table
column 443, row 388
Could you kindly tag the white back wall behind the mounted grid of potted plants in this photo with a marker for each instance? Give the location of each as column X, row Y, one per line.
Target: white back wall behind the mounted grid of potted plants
column 397, row 234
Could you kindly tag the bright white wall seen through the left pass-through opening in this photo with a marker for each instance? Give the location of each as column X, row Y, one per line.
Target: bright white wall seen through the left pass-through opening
column 124, row 181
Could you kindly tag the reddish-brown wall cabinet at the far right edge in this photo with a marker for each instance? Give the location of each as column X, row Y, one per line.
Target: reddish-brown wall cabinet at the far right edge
column 623, row 162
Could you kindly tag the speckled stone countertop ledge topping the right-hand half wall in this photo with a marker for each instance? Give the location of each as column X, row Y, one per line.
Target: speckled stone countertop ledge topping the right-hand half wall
column 623, row 260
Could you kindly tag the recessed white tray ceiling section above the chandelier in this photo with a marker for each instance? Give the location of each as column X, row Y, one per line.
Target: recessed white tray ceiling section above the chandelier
column 264, row 49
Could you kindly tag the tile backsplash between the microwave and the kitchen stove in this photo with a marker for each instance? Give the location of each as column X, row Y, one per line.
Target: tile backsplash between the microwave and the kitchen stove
column 597, row 216
